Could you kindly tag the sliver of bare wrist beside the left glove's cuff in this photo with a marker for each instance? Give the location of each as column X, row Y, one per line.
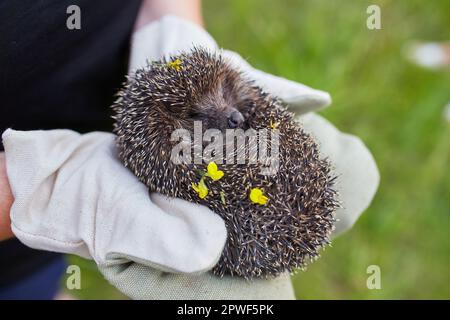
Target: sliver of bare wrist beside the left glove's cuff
column 6, row 200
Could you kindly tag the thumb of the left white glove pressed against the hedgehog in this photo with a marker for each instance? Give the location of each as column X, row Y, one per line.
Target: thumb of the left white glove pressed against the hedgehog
column 170, row 234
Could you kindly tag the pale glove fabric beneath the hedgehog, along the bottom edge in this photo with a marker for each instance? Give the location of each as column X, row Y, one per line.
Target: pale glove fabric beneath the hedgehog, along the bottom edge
column 141, row 282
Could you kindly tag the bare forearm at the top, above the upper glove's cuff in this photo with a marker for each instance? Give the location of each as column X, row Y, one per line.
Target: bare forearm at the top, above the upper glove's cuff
column 151, row 10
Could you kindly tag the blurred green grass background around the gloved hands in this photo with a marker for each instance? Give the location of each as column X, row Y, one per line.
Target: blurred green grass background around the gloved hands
column 394, row 106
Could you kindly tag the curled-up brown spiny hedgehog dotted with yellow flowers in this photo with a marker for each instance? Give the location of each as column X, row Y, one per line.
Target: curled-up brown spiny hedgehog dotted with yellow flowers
column 277, row 220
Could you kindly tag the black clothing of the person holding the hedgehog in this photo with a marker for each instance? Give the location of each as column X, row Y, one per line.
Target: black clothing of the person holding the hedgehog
column 52, row 77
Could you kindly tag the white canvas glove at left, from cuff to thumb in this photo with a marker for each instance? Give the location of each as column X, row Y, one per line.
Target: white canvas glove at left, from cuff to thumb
column 73, row 195
